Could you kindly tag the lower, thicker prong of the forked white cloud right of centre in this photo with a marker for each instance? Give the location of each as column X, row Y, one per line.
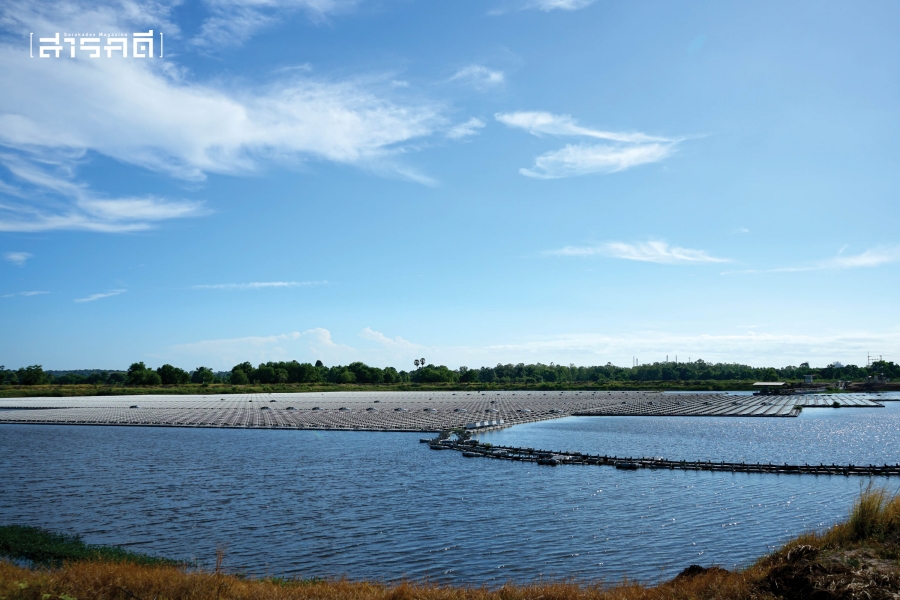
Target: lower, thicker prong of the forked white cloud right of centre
column 582, row 160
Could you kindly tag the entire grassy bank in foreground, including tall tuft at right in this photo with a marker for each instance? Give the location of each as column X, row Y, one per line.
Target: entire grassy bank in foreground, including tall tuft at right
column 855, row 559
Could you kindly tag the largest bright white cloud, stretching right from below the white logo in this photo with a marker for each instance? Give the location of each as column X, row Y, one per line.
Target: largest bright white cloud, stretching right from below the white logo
column 186, row 129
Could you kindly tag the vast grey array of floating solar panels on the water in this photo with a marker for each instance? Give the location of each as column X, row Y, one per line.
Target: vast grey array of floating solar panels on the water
column 399, row 411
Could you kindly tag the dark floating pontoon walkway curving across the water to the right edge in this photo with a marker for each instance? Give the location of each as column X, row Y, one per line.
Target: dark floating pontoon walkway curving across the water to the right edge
column 474, row 449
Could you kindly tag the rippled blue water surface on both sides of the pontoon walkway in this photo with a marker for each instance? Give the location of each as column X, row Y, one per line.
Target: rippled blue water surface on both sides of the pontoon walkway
column 382, row 506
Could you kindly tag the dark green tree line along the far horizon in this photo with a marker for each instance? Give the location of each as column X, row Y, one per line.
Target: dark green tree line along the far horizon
column 138, row 374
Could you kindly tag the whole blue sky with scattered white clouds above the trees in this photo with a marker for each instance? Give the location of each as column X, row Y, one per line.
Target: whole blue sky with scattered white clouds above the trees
column 474, row 182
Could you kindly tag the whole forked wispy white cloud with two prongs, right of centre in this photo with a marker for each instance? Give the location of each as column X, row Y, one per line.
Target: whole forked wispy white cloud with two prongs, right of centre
column 622, row 151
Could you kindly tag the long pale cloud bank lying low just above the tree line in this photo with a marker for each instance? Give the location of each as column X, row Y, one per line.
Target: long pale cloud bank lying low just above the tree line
column 758, row 349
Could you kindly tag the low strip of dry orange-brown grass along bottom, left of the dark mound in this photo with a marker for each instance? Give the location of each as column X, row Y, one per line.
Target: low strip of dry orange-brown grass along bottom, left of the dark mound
column 122, row 581
